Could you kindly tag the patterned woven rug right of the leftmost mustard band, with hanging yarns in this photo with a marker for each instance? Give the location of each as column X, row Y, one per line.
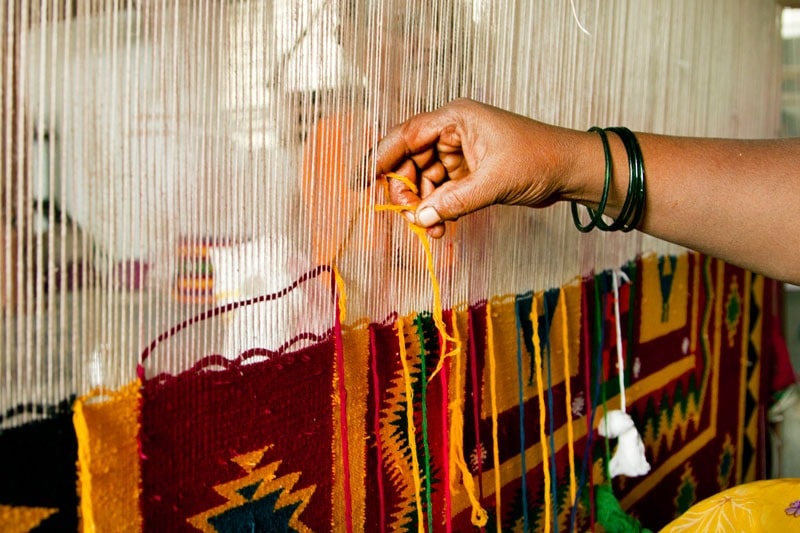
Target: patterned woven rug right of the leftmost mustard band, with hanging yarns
column 483, row 416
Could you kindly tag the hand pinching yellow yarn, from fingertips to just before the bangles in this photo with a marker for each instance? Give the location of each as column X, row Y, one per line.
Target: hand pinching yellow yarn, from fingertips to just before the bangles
column 466, row 155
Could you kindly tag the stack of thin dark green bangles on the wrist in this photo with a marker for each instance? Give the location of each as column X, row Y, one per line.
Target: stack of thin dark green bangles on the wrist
column 633, row 208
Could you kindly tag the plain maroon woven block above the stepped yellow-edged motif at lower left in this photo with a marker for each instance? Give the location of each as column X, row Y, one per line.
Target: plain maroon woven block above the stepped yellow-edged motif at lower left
column 195, row 424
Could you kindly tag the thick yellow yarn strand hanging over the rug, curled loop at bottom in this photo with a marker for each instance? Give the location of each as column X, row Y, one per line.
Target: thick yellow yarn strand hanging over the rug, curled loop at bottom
column 456, row 407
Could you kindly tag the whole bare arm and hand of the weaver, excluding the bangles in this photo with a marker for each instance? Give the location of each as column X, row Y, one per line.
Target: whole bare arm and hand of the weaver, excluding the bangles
column 737, row 200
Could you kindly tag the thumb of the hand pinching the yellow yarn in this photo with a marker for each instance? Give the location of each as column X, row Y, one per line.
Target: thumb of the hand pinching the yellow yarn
column 452, row 200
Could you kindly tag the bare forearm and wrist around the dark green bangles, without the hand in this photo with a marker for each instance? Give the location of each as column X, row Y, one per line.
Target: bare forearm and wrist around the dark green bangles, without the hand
column 736, row 200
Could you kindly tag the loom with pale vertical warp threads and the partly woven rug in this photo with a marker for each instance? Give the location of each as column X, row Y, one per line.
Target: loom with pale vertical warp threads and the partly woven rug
column 207, row 324
